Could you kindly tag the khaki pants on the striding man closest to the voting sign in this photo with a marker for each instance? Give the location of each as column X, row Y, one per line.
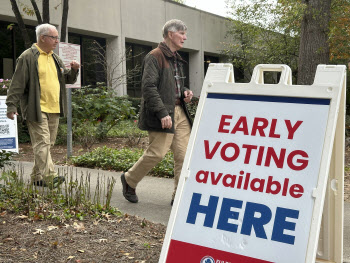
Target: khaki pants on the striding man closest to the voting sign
column 159, row 144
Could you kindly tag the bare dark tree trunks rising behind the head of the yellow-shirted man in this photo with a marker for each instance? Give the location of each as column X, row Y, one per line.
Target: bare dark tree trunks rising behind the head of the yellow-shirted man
column 45, row 18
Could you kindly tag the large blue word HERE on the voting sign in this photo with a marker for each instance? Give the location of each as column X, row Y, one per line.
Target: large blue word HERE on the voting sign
column 255, row 216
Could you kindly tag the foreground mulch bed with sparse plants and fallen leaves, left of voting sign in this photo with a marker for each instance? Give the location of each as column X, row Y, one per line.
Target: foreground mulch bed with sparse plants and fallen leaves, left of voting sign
column 73, row 223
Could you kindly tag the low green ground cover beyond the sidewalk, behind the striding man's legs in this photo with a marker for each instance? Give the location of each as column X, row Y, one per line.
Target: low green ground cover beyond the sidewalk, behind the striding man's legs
column 121, row 160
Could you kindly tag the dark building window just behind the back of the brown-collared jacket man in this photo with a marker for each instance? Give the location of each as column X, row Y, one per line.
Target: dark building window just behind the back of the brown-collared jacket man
column 135, row 55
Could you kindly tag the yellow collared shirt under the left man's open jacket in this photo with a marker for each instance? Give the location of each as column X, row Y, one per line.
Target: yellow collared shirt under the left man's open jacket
column 49, row 84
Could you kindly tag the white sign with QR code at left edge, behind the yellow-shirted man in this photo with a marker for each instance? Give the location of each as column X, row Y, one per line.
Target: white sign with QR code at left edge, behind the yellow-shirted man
column 11, row 126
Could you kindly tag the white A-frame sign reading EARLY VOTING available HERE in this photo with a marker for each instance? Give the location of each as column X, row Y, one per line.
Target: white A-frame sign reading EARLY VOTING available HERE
column 264, row 163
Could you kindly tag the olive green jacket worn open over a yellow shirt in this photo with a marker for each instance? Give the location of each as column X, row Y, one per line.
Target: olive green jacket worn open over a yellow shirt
column 25, row 86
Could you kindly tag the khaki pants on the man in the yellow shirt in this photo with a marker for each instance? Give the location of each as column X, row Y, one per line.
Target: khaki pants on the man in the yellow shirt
column 43, row 136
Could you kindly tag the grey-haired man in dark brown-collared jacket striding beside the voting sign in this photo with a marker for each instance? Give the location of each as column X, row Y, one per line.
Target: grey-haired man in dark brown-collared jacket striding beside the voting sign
column 163, row 110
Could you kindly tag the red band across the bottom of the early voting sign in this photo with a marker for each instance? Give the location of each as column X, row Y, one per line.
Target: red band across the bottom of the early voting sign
column 189, row 253
